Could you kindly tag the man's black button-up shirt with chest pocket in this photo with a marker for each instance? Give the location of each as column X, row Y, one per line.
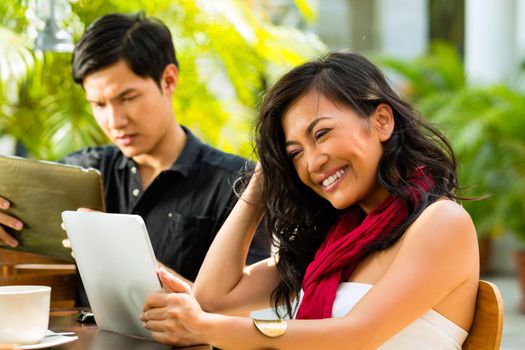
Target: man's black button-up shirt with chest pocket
column 183, row 207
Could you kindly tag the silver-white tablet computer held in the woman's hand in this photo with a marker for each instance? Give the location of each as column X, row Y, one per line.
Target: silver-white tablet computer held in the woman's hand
column 117, row 265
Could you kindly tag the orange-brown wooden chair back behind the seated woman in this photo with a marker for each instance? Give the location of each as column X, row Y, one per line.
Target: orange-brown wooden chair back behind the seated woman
column 487, row 327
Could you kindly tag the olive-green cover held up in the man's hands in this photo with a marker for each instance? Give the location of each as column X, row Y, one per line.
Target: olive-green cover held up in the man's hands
column 39, row 191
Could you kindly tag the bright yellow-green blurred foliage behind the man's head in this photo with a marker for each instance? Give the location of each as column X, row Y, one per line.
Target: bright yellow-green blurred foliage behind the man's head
column 228, row 53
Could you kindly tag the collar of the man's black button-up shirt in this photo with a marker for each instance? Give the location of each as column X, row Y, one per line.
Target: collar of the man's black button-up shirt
column 184, row 163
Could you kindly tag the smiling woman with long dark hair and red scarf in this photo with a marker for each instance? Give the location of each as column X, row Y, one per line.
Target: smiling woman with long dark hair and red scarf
column 358, row 193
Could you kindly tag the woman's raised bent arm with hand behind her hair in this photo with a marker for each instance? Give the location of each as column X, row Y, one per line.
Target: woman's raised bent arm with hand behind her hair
column 224, row 284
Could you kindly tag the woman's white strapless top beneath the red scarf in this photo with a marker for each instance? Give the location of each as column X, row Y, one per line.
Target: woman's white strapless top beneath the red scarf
column 431, row 331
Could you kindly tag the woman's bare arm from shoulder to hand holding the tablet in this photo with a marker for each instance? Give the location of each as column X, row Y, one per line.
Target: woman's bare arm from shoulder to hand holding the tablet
column 437, row 257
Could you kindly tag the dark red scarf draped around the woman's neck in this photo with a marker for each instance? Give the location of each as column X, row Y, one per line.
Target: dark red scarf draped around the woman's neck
column 345, row 247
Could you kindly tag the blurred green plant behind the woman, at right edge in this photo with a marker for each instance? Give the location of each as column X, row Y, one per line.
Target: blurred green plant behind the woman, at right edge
column 485, row 126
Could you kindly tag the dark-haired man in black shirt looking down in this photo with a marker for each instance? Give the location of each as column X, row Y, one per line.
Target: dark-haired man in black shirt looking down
column 156, row 168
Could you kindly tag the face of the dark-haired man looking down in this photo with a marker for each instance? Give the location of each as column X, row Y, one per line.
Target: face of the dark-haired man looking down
column 131, row 110
